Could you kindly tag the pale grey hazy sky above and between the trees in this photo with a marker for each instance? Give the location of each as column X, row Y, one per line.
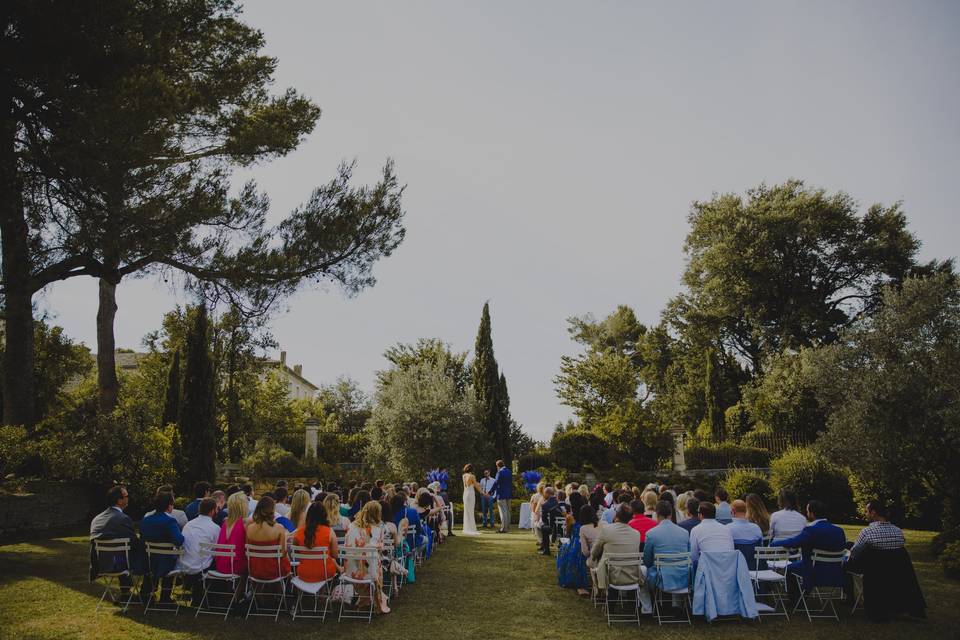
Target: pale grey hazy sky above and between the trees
column 551, row 151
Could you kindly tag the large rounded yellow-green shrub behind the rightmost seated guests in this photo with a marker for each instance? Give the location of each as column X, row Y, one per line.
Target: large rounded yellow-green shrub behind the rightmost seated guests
column 812, row 476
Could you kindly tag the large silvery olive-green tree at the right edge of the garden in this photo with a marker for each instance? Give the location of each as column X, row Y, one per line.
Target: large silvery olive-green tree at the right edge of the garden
column 891, row 392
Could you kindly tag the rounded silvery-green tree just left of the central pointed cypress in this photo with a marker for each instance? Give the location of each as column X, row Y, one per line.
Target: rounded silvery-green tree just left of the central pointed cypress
column 422, row 419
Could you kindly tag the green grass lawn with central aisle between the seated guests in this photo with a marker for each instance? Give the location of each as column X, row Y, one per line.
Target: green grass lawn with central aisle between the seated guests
column 494, row 587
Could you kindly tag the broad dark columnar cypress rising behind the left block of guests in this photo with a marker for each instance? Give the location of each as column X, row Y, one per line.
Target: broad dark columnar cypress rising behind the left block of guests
column 197, row 426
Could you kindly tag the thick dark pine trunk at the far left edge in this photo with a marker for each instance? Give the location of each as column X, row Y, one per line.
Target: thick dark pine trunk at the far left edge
column 19, row 399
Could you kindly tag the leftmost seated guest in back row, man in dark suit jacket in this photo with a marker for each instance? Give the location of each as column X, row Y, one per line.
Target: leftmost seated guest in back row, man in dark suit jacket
column 111, row 524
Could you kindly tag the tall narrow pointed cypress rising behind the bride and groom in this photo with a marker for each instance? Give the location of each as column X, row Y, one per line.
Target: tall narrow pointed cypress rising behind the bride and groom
column 490, row 390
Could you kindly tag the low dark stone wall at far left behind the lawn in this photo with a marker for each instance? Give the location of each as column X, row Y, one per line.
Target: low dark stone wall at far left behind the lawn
column 37, row 505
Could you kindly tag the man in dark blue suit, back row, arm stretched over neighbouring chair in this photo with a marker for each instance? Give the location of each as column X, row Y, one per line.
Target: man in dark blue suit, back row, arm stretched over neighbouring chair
column 819, row 534
